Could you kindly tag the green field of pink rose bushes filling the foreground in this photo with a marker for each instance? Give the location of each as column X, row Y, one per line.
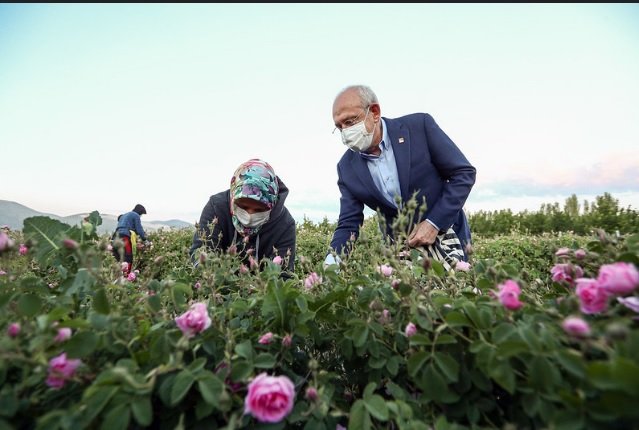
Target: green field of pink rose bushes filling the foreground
column 536, row 332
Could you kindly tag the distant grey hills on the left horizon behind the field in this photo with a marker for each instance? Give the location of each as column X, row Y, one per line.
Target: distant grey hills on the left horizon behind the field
column 13, row 214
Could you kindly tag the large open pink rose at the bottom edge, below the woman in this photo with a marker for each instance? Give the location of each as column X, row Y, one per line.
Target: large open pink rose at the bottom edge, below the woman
column 269, row 398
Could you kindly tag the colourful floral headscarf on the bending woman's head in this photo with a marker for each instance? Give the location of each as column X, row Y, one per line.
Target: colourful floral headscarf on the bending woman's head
column 254, row 179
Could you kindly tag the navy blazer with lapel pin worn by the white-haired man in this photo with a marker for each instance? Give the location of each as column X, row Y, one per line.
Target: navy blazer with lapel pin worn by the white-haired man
column 428, row 163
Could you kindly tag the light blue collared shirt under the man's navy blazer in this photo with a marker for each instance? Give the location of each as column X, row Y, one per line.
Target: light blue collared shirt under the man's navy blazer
column 384, row 169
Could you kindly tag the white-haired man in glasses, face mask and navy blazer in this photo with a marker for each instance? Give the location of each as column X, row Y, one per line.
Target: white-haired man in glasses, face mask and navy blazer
column 390, row 159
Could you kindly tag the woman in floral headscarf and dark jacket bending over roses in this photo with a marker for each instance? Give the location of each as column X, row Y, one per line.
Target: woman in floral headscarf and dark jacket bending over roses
column 249, row 217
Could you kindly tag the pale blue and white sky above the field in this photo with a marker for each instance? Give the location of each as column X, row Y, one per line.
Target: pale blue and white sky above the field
column 103, row 106
